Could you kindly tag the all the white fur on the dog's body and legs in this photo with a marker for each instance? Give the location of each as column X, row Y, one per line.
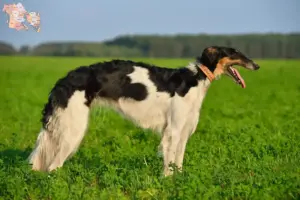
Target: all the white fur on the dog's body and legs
column 176, row 118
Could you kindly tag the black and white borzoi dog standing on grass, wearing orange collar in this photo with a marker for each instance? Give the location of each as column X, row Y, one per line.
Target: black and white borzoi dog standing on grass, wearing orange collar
column 162, row 99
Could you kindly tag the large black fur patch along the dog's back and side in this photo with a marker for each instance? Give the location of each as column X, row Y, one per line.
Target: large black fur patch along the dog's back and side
column 109, row 80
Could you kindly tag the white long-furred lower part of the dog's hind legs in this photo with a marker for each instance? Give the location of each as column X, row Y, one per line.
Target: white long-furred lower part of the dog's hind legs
column 65, row 130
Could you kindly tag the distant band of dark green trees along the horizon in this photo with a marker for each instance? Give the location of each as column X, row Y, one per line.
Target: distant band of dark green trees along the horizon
column 177, row 46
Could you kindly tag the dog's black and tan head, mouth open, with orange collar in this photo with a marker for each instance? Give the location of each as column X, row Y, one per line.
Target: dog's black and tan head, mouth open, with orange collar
column 220, row 60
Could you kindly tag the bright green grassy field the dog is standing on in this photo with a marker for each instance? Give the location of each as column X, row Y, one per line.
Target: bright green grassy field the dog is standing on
column 247, row 145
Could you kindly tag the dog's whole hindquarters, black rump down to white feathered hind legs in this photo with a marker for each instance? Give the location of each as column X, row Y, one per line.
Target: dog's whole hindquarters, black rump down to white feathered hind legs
column 65, row 119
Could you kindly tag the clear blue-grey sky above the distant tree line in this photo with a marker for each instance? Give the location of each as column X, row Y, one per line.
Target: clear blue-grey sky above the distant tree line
column 99, row 20
